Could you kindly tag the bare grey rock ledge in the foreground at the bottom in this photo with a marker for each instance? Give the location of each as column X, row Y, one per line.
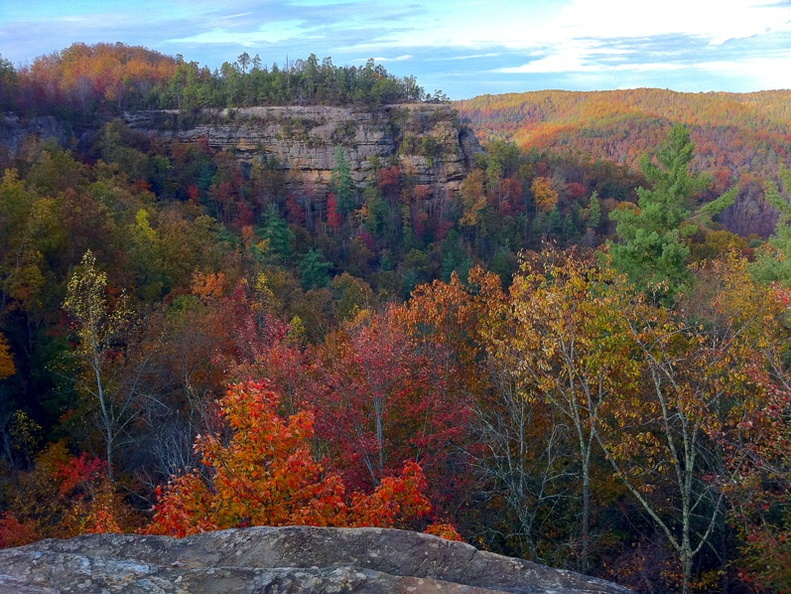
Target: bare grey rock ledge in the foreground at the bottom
column 290, row 559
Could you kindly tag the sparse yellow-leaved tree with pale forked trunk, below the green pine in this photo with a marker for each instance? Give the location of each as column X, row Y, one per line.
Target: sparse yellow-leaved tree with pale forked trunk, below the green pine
column 699, row 384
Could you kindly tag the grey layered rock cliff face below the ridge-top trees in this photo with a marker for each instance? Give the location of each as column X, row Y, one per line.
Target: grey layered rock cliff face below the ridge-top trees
column 426, row 140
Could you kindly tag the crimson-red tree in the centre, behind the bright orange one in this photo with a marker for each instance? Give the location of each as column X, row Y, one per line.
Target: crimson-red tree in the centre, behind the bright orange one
column 383, row 400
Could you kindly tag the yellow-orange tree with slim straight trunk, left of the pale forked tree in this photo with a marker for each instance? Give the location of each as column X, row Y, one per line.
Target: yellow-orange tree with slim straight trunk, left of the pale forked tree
column 561, row 340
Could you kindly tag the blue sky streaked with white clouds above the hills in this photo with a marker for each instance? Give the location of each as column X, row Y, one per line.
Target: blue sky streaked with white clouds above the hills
column 464, row 48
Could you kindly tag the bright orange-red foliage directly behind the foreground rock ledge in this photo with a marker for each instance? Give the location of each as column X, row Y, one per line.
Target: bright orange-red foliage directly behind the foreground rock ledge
column 265, row 474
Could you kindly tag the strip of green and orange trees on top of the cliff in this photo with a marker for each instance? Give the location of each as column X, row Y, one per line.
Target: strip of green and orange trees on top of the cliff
column 85, row 83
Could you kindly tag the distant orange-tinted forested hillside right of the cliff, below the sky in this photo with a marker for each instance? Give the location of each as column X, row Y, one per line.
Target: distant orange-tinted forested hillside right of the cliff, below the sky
column 740, row 138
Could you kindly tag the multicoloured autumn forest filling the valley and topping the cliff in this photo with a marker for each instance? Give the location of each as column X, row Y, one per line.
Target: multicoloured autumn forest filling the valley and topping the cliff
column 570, row 360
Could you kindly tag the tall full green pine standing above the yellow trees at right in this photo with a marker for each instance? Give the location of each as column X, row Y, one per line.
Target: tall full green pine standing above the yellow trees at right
column 651, row 248
